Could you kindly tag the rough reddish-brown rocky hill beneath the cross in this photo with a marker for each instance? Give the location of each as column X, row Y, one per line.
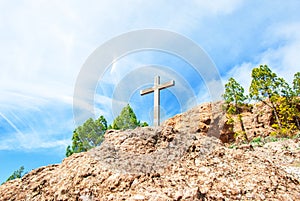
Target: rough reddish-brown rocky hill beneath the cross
column 184, row 159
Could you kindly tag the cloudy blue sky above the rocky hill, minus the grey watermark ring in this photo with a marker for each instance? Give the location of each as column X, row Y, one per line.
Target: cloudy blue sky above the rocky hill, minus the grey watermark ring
column 44, row 45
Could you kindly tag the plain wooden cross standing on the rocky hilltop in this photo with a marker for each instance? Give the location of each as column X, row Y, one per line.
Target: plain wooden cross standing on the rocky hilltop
column 156, row 89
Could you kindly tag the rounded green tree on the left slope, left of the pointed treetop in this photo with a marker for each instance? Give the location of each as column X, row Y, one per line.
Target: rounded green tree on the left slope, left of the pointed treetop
column 87, row 136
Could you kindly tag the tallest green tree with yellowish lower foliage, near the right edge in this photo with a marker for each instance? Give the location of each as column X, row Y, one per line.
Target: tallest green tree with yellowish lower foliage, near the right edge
column 278, row 95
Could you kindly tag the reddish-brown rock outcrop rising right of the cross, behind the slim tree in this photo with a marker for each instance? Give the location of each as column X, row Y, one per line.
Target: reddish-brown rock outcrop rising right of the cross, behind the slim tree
column 211, row 120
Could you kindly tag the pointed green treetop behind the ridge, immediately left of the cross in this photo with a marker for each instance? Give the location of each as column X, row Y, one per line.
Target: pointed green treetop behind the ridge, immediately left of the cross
column 127, row 120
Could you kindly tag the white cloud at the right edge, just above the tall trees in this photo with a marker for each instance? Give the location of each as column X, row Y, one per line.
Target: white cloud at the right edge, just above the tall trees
column 281, row 56
